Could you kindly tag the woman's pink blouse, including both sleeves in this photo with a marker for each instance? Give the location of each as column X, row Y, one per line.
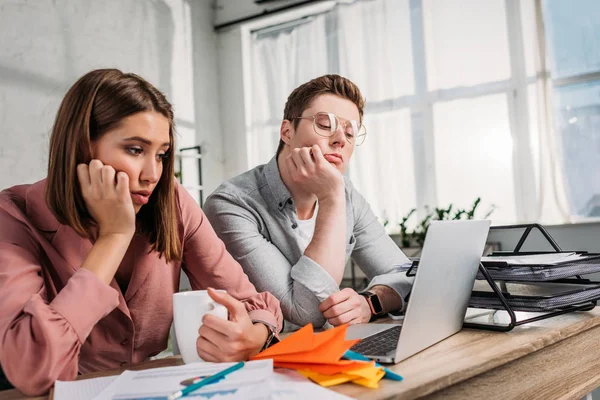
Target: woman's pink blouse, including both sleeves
column 57, row 319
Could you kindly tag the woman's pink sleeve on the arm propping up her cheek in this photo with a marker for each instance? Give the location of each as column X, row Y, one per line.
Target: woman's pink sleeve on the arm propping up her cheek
column 40, row 340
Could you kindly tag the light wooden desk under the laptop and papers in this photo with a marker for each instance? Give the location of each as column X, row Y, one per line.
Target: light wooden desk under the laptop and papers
column 558, row 358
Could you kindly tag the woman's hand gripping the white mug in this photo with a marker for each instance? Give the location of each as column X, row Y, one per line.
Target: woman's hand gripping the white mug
column 234, row 340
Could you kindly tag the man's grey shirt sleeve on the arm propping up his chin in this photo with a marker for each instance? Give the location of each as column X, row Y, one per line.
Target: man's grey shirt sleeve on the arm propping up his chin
column 300, row 286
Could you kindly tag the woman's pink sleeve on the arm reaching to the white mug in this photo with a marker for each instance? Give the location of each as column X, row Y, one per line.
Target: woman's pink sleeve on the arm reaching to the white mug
column 208, row 264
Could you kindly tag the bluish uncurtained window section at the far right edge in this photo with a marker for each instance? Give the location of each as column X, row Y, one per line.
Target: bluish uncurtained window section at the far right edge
column 573, row 38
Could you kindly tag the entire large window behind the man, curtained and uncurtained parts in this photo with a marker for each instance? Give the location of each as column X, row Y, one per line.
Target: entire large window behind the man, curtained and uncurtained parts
column 456, row 101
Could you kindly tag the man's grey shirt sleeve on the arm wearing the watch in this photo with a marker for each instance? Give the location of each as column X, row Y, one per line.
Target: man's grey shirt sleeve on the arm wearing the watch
column 375, row 252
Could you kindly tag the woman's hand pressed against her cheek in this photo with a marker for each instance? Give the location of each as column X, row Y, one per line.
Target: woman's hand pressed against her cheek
column 107, row 198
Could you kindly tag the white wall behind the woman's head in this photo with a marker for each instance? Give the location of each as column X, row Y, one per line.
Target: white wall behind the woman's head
column 46, row 45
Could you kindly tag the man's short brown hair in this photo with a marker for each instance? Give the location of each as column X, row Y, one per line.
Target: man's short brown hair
column 300, row 99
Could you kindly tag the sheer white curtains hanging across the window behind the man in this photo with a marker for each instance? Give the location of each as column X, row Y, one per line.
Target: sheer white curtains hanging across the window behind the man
column 464, row 88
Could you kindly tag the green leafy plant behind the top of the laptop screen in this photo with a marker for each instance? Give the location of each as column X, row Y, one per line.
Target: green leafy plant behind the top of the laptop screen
column 416, row 237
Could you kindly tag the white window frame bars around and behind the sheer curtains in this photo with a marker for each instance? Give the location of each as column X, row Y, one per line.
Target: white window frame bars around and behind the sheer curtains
column 421, row 103
